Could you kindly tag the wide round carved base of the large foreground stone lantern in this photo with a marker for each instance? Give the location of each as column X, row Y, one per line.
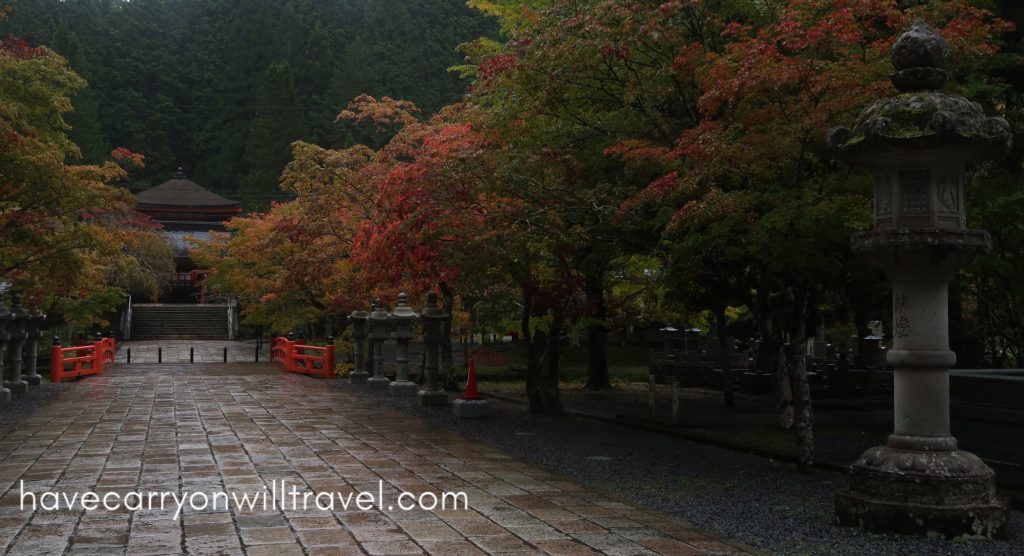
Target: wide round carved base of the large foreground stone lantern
column 950, row 494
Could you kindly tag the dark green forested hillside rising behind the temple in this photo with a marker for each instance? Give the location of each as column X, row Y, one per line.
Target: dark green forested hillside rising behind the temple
column 222, row 88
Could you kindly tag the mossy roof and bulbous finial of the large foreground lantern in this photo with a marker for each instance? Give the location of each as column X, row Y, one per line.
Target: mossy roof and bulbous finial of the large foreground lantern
column 921, row 117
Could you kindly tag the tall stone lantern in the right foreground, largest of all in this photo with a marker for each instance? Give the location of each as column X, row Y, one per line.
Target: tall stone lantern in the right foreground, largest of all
column 919, row 145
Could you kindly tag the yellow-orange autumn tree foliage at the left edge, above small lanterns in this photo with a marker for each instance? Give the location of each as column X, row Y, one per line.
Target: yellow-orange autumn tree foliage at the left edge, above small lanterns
column 70, row 239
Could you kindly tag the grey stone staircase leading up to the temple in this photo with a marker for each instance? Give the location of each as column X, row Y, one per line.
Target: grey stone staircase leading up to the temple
column 179, row 322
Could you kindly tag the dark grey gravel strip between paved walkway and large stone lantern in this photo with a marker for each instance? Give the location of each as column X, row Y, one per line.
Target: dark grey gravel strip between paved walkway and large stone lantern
column 746, row 498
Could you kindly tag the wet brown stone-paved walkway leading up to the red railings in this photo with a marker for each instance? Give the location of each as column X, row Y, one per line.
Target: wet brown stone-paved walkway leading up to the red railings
column 243, row 429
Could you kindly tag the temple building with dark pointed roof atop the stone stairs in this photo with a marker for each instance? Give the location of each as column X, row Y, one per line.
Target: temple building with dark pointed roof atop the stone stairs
column 186, row 209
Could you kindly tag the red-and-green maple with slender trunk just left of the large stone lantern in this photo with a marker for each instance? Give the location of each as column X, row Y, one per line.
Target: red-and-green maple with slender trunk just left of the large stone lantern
column 755, row 169
